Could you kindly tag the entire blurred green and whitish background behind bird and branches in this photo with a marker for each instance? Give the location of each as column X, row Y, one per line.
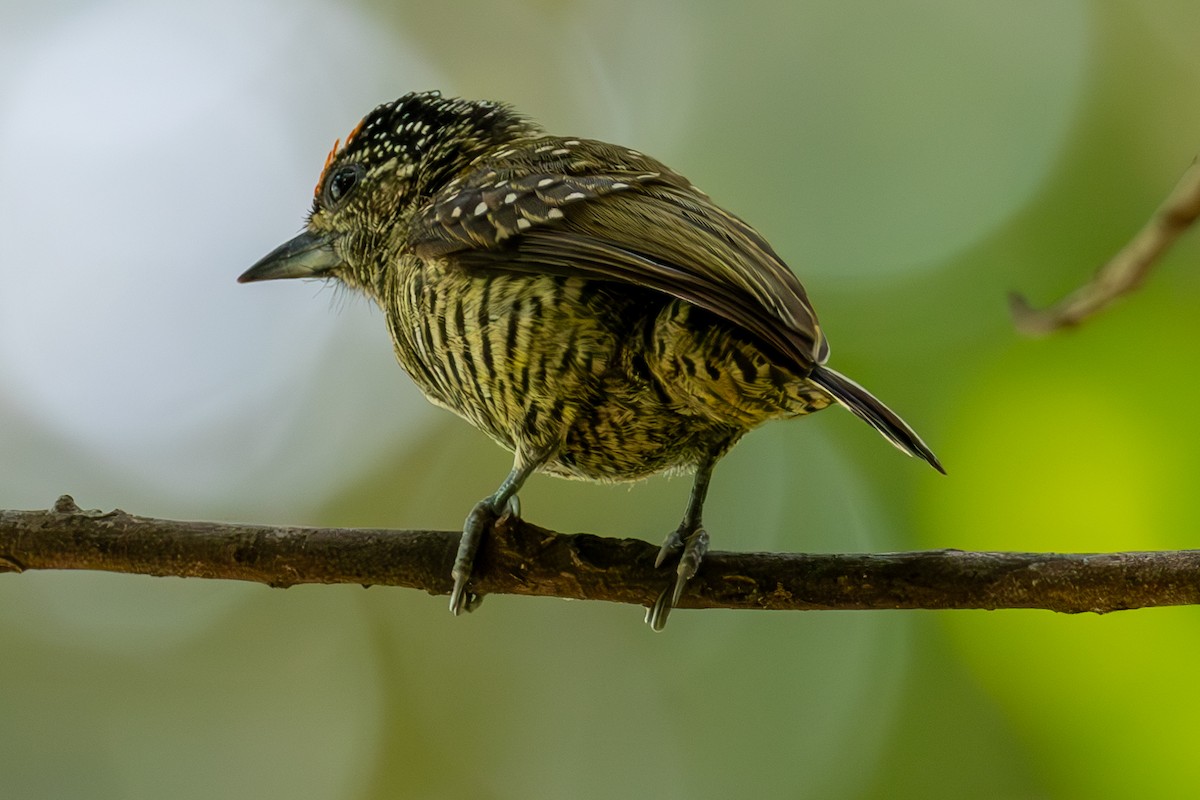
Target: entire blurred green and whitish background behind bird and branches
column 913, row 161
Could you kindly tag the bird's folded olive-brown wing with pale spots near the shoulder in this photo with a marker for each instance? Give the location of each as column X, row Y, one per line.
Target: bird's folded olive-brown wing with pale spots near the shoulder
column 637, row 224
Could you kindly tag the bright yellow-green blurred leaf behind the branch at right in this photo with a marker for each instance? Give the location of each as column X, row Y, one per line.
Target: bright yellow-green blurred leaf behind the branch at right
column 1085, row 442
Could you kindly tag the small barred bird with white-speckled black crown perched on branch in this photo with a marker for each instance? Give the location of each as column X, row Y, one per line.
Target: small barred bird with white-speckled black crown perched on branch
column 581, row 304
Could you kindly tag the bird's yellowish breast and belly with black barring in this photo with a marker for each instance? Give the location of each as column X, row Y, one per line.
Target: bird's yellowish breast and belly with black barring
column 621, row 384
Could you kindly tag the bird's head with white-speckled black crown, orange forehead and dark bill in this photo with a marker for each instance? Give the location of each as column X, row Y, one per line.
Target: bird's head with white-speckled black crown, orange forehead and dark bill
column 392, row 164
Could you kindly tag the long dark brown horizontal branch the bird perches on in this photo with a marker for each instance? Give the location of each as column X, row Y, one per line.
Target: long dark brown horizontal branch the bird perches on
column 524, row 560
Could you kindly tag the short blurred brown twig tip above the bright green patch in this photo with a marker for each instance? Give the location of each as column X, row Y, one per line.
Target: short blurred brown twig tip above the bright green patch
column 1126, row 272
